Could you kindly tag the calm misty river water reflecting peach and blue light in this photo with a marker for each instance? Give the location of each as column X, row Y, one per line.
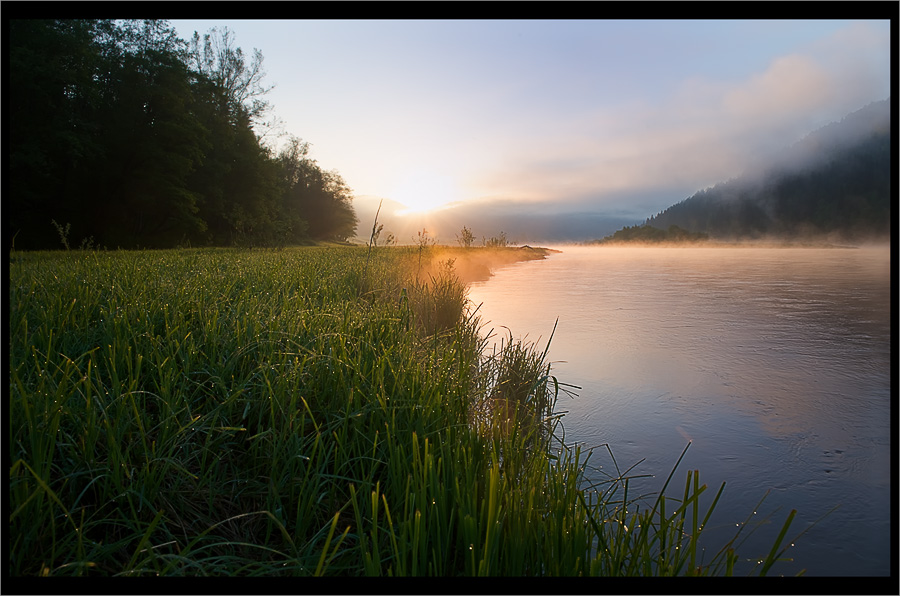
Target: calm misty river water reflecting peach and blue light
column 774, row 363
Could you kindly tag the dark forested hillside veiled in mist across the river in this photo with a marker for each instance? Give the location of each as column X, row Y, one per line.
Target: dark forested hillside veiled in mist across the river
column 835, row 182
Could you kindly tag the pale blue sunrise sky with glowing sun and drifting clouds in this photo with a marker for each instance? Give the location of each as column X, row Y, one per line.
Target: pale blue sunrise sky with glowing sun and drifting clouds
column 551, row 117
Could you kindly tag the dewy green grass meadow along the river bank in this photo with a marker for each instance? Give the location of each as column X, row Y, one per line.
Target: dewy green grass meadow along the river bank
column 316, row 411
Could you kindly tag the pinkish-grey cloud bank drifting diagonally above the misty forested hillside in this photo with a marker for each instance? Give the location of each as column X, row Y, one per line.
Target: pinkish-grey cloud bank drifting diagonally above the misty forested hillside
column 704, row 131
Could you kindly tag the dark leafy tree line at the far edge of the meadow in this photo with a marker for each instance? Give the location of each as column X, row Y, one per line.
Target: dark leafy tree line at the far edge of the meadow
column 121, row 134
